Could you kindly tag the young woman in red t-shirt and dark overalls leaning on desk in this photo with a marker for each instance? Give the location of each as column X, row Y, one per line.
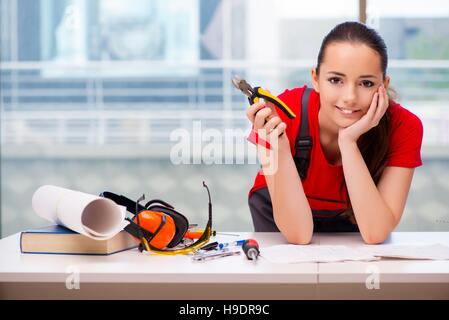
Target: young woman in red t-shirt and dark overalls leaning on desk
column 364, row 149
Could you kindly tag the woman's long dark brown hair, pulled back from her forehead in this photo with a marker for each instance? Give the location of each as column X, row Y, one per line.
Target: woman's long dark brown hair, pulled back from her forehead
column 373, row 144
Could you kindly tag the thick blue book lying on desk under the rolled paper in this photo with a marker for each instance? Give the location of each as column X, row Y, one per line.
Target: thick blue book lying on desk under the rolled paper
column 57, row 239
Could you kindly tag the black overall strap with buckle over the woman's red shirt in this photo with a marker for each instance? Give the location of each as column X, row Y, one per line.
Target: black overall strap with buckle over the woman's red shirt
column 303, row 140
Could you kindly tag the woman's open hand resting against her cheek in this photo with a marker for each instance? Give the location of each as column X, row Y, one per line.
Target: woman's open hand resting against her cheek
column 378, row 107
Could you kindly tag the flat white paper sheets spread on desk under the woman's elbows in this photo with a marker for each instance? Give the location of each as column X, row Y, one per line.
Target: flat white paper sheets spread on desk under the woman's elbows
column 289, row 253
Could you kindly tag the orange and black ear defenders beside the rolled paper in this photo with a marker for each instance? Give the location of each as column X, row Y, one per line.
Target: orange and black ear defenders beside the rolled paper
column 157, row 222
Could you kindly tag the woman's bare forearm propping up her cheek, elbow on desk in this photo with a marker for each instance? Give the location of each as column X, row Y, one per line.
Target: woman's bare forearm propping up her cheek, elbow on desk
column 374, row 218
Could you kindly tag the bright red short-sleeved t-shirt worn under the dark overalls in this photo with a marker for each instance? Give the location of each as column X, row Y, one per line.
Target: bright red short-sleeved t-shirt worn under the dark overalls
column 322, row 185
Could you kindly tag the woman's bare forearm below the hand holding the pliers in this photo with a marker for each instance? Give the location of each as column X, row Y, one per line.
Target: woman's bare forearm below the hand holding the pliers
column 291, row 209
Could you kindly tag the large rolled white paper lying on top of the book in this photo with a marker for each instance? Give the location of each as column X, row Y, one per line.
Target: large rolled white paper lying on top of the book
column 93, row 216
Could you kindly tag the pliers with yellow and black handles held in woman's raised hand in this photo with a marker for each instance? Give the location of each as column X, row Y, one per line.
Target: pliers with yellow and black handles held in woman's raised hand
column 256, row 93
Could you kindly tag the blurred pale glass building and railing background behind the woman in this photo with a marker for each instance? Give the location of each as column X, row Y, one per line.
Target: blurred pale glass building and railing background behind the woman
column 93, row 90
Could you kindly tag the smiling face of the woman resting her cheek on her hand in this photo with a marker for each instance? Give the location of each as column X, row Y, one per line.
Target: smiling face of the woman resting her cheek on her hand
column 349, row 75
